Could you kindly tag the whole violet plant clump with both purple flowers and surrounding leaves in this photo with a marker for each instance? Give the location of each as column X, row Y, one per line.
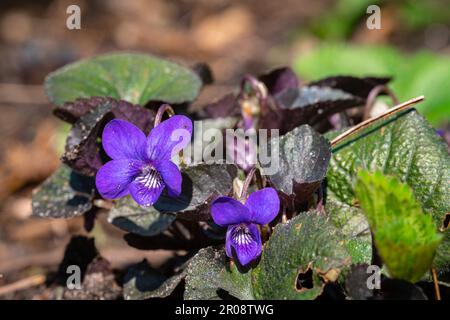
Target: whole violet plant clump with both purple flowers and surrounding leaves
column 306, row 231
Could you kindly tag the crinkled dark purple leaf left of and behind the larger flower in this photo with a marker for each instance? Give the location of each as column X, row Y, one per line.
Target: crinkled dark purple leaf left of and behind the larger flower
column 83, row 151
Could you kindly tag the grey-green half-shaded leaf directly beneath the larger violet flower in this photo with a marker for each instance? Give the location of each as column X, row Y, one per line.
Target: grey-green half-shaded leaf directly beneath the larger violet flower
column 145, row 221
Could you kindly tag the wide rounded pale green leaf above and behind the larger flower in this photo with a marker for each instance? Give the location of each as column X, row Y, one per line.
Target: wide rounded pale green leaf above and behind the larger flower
column 136, row 78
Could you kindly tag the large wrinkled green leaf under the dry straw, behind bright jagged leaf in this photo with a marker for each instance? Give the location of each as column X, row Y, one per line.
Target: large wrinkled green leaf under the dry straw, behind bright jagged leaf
column 404, row 146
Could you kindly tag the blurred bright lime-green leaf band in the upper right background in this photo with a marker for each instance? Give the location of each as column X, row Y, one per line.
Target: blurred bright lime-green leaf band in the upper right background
column 421, row 73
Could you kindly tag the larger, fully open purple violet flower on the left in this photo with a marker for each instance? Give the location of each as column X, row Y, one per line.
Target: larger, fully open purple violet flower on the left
column 142, row 166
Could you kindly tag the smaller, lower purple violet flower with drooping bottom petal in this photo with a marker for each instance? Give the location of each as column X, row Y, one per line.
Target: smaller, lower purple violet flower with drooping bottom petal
column 242, row 221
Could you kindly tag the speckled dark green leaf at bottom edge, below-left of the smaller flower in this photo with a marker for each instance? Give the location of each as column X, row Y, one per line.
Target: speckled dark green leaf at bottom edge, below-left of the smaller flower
column 208, row 274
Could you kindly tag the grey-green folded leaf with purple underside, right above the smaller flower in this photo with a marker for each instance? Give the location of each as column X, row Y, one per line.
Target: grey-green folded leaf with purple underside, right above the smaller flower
column 302, row 164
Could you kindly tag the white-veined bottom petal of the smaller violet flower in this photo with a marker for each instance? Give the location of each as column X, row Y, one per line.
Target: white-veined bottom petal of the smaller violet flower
column 246, row 241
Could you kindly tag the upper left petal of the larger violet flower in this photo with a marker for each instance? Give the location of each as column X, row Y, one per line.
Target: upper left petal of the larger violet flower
column 123, row 140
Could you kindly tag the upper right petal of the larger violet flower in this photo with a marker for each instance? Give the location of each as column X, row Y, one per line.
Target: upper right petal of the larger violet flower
column 169, row 137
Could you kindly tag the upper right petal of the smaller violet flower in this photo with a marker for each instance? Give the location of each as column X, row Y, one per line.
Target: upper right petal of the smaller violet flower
column 264, row 205
